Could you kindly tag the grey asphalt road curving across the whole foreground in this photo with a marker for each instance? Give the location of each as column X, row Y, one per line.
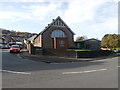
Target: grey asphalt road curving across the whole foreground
column 22, row 73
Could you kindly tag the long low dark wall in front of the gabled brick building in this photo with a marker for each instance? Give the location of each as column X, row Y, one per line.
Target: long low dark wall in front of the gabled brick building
column 71, row 54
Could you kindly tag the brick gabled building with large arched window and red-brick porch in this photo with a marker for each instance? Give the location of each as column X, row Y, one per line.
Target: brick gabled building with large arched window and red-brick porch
column 56, row 35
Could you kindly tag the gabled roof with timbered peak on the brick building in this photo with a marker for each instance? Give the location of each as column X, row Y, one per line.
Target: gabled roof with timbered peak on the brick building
column 56, row 22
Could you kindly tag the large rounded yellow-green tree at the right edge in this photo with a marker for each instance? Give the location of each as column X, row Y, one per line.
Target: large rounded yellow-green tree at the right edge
column 111, row 41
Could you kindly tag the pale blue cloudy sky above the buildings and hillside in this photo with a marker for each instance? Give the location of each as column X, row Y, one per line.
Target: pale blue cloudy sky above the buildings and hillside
column 90, row 18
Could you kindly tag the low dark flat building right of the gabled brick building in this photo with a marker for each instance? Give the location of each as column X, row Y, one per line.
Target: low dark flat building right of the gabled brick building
column 90, row 44
